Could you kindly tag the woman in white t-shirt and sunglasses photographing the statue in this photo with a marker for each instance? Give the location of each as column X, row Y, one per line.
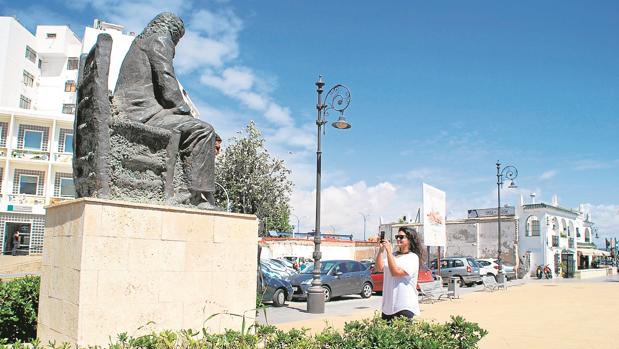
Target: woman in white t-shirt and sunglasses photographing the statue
column 401, row 269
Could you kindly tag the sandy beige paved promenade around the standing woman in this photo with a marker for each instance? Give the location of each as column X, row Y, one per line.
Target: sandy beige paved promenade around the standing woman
column 538, row 314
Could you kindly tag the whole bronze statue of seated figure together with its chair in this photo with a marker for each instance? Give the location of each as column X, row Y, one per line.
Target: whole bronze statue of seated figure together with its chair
column 145, row 145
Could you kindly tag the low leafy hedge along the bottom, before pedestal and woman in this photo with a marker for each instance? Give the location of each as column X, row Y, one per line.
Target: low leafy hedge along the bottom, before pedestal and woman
column 365, row 334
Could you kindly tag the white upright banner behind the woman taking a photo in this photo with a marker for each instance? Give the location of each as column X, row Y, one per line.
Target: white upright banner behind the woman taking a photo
column 434, row 233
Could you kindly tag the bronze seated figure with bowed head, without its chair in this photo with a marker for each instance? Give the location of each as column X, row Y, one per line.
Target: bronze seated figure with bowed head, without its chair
column 147, row 91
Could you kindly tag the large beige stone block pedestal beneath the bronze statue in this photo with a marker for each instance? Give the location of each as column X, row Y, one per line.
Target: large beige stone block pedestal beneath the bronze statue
column 110, row 267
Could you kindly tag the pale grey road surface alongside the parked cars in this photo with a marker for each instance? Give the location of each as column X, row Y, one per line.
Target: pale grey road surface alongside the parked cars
column 297, row 310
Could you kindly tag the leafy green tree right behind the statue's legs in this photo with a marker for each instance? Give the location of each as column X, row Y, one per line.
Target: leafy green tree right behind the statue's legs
column 257, row 182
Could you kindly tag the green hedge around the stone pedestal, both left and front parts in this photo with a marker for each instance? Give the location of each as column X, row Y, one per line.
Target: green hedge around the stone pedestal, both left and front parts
column 18, row 320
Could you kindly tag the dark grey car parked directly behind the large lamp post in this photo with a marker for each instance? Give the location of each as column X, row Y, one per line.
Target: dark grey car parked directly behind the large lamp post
column 339, row 278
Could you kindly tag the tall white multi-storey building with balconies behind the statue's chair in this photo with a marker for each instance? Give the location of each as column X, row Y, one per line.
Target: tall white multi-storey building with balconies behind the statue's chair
column 38, row 75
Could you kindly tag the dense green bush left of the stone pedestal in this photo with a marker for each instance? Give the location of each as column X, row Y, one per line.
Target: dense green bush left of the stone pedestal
column 19, row 304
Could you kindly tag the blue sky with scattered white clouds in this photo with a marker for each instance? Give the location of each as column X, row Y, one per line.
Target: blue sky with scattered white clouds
column 440, row 92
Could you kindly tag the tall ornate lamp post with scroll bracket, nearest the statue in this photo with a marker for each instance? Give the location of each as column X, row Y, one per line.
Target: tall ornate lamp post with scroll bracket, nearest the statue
column 338, row 99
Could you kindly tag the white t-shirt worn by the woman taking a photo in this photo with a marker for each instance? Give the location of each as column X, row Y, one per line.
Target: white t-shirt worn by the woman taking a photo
column 400, row 293
